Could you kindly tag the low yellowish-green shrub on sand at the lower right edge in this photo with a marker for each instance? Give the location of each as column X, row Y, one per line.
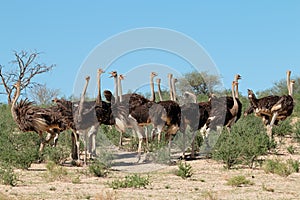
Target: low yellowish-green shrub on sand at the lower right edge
column 280, row 167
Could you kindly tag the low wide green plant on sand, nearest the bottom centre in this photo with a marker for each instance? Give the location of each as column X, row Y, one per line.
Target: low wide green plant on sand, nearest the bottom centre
column 130, row 181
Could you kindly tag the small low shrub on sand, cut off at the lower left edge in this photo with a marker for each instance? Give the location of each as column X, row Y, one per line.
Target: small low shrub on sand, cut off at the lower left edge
column 7, row 175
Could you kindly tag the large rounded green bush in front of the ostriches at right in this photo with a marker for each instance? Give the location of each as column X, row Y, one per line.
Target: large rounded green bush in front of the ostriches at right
column 246, row 141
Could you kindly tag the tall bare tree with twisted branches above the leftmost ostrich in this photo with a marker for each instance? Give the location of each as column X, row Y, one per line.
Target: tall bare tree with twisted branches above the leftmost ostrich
column 25, row 68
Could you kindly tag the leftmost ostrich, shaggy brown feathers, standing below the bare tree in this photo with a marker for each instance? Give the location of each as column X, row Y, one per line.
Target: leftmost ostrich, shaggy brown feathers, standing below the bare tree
column 31, row 118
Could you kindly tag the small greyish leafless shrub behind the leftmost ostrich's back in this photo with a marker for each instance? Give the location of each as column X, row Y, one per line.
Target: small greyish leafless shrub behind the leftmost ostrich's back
column 43, row 95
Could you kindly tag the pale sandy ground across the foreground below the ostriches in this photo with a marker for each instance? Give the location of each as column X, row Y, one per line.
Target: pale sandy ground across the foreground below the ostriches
column 209, row 181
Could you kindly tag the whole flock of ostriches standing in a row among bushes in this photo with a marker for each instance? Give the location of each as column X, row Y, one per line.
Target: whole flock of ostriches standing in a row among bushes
column 135, row 111
